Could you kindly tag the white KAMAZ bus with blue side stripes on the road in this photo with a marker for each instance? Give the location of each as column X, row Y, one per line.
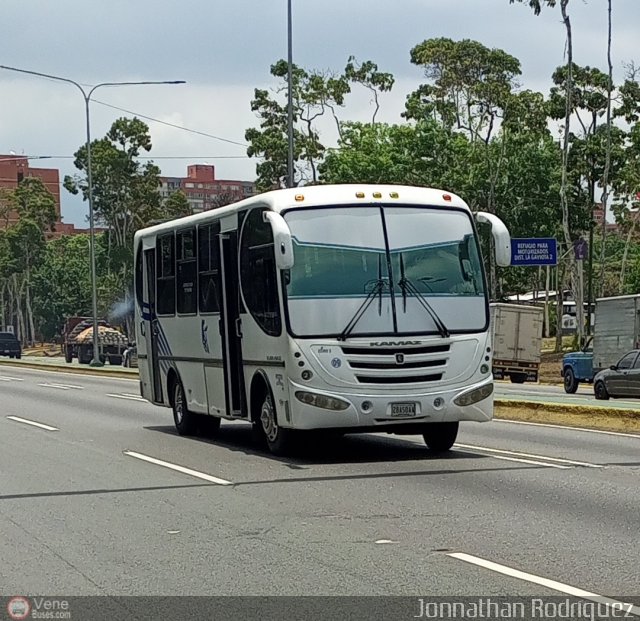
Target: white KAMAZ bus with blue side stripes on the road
column 352, row 308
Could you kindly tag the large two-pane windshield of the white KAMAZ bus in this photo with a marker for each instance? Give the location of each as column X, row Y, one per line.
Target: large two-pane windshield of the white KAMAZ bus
column 412, row 258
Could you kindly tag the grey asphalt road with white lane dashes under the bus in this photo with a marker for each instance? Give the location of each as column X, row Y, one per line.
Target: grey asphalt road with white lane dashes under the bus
column 92, row 504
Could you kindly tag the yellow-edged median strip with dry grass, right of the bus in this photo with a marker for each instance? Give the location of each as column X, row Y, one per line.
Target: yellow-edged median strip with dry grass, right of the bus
column 570, row 415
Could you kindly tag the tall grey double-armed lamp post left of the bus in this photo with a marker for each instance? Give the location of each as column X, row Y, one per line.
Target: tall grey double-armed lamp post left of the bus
column 96, row 362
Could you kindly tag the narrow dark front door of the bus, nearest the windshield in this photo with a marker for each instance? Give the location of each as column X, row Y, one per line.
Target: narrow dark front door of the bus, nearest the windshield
column 230, row 325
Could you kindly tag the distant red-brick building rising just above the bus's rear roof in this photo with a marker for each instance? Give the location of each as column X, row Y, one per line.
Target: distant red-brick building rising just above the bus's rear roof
column 203, row 190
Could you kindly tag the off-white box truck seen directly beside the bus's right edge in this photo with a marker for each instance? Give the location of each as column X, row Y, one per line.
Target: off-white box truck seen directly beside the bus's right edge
column 516, row 331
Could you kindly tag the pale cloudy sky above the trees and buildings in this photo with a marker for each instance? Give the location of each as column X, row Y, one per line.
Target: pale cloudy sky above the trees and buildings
column 224, row 49
